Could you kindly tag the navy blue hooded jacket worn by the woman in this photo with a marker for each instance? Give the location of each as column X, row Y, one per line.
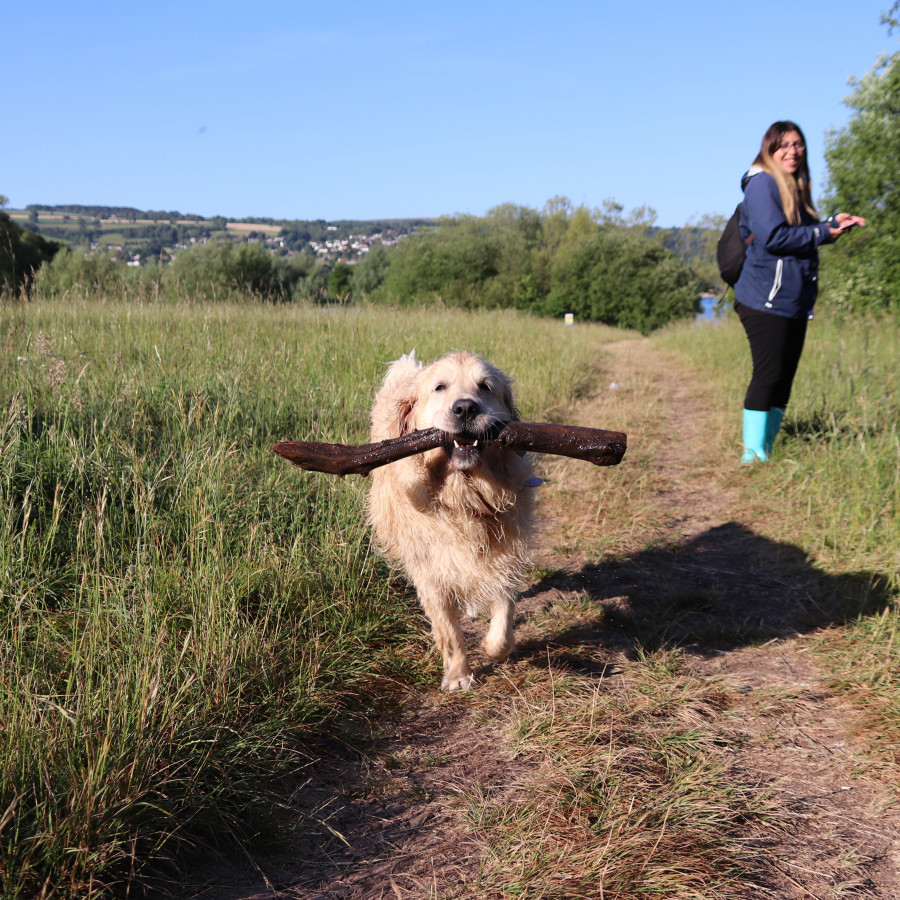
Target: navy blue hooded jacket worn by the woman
column 780, row 274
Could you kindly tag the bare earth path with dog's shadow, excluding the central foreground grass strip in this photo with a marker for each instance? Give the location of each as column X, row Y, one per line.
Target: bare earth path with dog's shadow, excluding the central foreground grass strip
column 739, row 606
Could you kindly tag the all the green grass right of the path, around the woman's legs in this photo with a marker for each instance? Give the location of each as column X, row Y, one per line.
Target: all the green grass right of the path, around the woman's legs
column 833, row 487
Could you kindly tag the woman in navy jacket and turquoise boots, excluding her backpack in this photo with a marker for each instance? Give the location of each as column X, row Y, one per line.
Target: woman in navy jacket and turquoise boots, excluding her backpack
column 775, row 295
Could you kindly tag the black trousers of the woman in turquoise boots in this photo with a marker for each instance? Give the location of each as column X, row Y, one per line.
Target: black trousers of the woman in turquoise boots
column 775, row 345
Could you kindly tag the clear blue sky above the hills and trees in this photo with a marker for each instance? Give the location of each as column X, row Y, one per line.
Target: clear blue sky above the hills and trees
column 351, row 110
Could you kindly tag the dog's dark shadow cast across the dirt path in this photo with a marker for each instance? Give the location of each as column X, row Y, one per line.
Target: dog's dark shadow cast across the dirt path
column 728, row 587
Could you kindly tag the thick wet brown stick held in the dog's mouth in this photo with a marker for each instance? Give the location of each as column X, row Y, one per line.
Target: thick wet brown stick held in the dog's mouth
column 602, row 448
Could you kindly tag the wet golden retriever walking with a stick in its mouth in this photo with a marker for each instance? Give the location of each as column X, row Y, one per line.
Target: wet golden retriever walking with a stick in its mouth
column 457, row 519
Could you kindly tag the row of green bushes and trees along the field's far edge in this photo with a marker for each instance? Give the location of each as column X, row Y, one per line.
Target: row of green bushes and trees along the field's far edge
column 598, row 265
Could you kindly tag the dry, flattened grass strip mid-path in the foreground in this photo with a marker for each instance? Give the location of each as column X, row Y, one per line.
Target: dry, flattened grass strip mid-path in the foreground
column 627, row 795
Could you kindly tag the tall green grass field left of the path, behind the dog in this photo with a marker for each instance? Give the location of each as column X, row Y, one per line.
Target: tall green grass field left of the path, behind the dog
column 179, row 608
